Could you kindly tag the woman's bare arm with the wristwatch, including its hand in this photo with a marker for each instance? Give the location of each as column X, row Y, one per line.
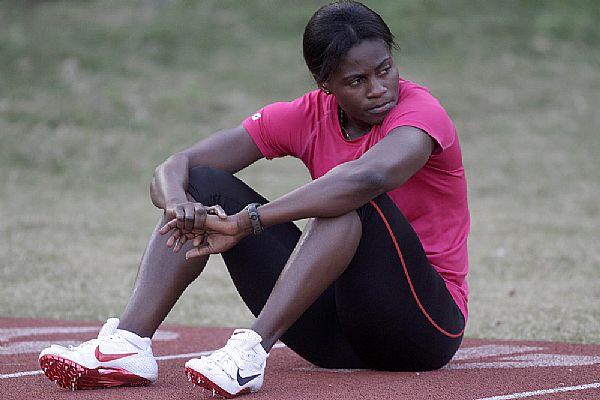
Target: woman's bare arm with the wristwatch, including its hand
column 386, row 166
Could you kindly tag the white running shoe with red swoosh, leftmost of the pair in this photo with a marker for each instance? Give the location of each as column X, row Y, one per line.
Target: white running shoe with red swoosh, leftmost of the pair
column 116, row 358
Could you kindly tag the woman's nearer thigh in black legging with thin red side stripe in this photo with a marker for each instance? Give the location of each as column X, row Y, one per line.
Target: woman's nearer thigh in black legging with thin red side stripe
column 393, row 306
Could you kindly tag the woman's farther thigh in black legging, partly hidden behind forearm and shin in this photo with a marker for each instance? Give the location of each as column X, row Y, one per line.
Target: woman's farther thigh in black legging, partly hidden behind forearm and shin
column 256, row 262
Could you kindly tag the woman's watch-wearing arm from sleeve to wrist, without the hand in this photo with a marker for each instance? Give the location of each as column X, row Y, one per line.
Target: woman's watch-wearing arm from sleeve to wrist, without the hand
column 385, row 166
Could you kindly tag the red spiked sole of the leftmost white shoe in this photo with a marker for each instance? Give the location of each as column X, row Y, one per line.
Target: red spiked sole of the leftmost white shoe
column 71, row 375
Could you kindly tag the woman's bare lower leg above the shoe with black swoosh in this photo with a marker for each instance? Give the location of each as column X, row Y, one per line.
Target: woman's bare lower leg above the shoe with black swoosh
column 322, row 254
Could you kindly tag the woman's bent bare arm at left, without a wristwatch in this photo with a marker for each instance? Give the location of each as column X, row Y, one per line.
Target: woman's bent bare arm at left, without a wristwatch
column 230, row 150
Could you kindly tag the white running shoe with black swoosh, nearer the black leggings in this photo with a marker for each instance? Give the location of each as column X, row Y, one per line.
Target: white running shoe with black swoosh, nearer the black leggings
column 235, row 369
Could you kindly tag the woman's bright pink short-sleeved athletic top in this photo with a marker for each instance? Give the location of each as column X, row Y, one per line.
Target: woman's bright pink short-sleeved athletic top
column 434, row 199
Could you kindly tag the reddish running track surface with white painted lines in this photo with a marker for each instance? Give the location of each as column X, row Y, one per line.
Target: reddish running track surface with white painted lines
column 482, row 369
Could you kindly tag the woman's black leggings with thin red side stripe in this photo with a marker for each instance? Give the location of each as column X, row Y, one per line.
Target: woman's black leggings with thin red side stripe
column 369, row 317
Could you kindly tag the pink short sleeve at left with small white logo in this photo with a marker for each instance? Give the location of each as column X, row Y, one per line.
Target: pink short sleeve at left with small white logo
column 277, row 129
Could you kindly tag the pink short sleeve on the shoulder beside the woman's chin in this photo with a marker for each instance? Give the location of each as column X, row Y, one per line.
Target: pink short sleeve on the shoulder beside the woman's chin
column 423, row 111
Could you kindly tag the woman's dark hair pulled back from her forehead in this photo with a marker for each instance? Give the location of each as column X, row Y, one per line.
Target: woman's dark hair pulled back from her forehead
column 334, row 29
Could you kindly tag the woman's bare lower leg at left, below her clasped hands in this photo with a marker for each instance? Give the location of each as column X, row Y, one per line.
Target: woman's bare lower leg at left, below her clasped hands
column 162, row 278
